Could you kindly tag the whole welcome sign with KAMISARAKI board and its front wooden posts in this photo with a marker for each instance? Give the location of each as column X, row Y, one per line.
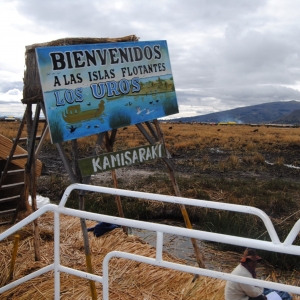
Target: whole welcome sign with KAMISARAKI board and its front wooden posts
column 93, row 88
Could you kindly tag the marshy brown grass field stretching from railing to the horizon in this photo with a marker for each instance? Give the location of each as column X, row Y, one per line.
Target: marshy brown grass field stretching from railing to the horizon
column 251, row 165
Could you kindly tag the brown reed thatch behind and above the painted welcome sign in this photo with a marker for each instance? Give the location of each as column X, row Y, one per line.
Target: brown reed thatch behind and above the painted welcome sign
column 32, row 91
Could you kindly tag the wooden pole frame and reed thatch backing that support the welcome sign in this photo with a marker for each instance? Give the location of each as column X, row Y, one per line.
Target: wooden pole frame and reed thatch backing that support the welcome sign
column 33, row 99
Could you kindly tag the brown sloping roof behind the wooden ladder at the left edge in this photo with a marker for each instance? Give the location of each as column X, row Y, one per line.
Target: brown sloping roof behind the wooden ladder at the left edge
column 5, row 148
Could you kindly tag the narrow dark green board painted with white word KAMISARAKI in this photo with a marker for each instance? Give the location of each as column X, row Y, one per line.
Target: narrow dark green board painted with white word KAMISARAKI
column 120, row 159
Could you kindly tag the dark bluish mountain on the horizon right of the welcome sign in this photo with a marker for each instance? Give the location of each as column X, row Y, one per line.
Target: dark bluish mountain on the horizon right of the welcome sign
column 255, row 114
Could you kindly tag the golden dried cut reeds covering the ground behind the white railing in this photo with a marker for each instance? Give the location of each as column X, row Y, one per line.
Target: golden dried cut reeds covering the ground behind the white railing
column 128, row 279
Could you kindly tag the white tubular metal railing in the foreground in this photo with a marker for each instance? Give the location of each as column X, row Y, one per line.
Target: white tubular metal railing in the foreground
column 274, row 245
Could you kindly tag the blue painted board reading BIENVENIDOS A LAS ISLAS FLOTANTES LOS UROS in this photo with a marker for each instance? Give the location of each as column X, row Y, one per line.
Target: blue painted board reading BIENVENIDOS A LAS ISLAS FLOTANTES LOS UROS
column 94, row 88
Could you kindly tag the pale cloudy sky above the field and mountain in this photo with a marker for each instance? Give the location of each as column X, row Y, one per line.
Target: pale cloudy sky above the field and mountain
column 224, row 53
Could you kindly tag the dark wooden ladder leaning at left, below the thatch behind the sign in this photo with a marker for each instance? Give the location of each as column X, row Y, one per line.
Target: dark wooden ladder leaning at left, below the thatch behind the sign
column 11, row 205
